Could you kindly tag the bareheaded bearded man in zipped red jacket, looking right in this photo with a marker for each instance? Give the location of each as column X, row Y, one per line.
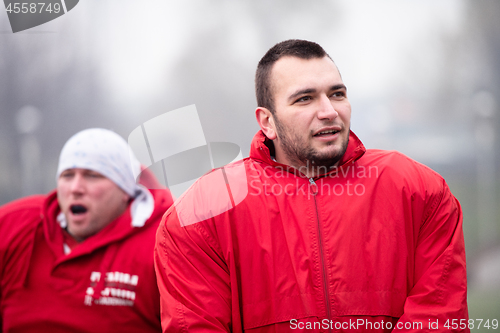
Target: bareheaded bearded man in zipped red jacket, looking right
column 312, row 232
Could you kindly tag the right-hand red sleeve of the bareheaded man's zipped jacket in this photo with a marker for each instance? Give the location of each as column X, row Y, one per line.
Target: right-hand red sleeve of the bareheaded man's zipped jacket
column 438, row 294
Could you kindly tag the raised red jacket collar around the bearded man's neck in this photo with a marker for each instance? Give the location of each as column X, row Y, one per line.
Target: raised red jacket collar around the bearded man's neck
column 262, row 146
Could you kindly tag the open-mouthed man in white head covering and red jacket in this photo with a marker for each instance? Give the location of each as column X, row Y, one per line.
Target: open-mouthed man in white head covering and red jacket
column 80, row 258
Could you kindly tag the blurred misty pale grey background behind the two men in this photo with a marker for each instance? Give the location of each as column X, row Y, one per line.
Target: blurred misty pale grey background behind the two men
column 423, row 78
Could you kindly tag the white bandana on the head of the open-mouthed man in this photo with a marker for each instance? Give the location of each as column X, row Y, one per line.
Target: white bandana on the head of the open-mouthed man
column 108, row 153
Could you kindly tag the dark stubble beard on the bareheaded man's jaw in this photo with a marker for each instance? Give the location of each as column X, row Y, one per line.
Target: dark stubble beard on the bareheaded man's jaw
column 303, row 156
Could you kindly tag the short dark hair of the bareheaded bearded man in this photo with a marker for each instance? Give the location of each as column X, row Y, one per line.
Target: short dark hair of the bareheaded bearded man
column 302, row 49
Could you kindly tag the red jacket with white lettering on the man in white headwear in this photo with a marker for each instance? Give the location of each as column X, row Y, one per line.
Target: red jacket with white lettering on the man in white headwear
column 106, row 284
